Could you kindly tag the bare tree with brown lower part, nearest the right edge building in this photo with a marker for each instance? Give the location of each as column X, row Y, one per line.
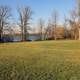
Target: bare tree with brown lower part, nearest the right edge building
column 74, row 25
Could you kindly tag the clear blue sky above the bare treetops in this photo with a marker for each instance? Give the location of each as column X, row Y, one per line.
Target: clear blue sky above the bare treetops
column 42, row 8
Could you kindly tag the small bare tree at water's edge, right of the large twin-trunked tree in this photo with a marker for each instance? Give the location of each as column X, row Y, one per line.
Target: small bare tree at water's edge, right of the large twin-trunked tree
column 41, row 28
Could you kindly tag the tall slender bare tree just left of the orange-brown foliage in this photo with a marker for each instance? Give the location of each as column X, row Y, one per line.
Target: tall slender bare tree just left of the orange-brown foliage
column 55, row 17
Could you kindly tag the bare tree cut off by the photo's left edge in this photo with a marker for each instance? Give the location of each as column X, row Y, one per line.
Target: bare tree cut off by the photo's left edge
column 5, row 13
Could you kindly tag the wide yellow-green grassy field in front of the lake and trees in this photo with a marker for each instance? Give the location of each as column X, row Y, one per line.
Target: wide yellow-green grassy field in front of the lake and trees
column 46, row 60
